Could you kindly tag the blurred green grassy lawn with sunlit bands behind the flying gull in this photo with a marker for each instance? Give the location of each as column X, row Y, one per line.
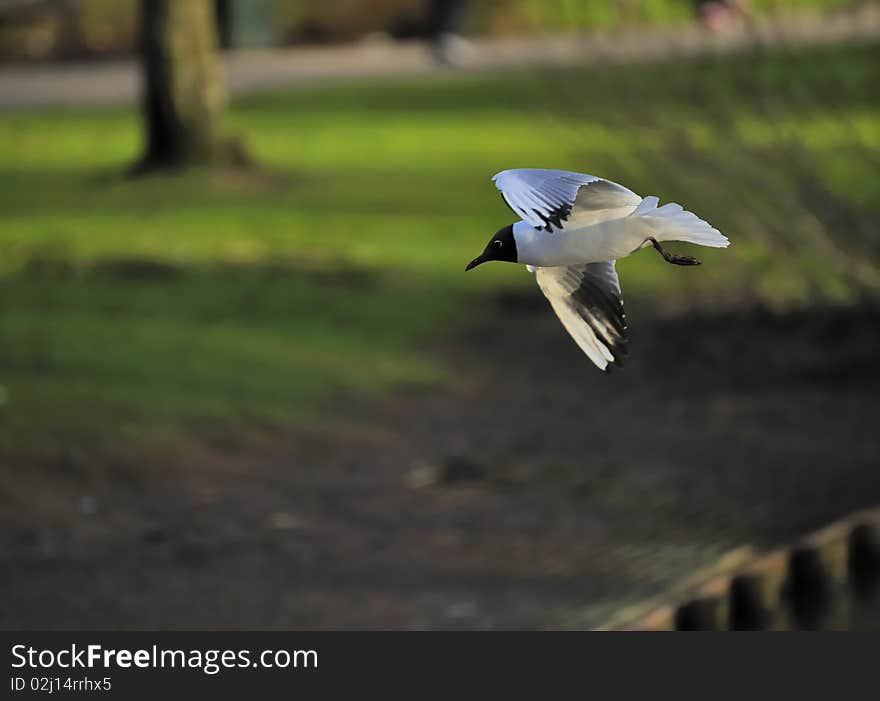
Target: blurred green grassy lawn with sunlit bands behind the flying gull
column 131, row 310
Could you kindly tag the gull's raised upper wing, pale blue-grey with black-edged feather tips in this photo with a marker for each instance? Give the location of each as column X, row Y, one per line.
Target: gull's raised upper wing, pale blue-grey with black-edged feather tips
column 554, row 199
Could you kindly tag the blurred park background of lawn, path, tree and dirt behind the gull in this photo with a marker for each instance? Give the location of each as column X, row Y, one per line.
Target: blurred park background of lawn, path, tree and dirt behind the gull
column 245, row 383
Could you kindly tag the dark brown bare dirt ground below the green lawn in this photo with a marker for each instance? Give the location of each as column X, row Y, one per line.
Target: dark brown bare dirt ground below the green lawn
column 533, row 492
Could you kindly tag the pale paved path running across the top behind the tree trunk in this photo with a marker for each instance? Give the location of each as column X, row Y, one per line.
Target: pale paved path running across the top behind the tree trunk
column 26, row 85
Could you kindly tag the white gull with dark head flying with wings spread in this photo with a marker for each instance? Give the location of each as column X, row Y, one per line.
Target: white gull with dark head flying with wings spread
column 573, row 228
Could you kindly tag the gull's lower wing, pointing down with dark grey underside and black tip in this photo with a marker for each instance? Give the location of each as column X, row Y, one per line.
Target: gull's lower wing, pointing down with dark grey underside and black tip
column 587, row 300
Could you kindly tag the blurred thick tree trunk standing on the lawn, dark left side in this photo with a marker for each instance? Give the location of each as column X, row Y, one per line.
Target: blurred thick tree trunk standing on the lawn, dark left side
column 183, row 90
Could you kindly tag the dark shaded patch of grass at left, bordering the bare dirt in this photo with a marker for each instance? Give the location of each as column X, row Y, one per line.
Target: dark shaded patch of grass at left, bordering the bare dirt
column 120, row 347
